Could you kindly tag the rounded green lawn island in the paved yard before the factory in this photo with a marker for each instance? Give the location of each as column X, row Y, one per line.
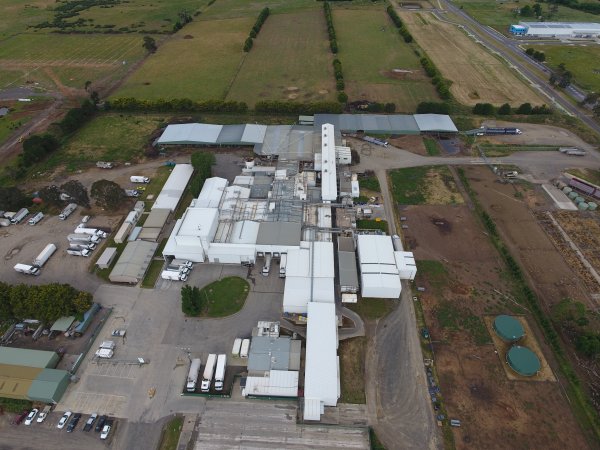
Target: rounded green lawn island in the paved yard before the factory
column 224, row 297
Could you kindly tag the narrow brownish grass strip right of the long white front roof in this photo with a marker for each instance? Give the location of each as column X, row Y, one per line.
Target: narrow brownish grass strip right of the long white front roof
column 352, row 370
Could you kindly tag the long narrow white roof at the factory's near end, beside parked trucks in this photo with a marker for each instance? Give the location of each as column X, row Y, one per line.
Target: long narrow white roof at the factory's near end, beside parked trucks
column 322, row 376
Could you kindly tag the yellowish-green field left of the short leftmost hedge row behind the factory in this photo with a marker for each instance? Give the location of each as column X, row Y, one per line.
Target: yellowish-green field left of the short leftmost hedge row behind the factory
column 200, row 68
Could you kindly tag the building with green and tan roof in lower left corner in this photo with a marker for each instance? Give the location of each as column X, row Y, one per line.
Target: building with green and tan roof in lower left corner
column 31, row 375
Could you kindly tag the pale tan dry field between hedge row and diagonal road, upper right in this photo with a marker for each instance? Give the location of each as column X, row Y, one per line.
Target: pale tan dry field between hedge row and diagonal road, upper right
column 476, row 75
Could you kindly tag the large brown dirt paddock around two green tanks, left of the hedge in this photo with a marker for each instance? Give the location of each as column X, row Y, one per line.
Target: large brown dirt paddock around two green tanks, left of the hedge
column 495, row 412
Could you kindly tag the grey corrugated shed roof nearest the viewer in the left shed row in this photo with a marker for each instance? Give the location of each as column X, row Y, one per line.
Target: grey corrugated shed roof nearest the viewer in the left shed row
column 133, row 262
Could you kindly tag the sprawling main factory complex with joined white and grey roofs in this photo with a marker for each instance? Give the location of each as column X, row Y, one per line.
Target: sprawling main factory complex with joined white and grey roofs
column 295, row 201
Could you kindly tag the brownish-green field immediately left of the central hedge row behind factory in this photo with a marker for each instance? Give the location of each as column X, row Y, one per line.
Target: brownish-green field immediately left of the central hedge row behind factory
column 290, row 60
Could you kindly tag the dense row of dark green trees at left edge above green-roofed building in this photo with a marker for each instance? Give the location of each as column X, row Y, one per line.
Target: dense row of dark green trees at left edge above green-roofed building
column 45, row 303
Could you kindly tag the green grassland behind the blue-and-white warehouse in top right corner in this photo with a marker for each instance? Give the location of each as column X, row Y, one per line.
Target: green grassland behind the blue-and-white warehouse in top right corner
column 500, row 15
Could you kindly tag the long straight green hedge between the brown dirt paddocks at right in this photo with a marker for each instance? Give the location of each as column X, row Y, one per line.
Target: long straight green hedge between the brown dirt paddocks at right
column 534, row 307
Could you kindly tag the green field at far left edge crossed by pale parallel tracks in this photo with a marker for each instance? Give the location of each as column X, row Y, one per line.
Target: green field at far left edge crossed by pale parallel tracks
column 67, row 61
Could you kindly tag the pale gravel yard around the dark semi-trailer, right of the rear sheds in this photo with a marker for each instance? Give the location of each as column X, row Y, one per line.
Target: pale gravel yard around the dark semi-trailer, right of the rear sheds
column 534, row 134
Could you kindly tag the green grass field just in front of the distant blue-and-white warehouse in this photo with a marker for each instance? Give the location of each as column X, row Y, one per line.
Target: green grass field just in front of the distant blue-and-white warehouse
column 582, row 62
